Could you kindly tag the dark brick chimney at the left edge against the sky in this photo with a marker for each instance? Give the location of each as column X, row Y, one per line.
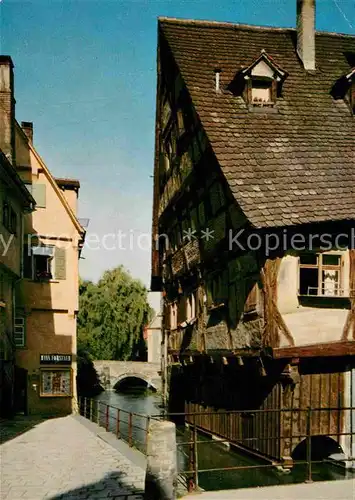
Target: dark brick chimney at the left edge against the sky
column 7, row 108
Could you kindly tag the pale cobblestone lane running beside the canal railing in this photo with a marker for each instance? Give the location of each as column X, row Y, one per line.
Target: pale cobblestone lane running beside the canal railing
column 62, row 459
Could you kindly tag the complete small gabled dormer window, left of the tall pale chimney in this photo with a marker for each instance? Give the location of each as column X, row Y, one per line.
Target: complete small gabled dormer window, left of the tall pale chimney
column 262, row 81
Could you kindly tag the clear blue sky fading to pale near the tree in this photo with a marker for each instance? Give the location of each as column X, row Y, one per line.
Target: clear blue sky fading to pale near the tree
column 85, row 75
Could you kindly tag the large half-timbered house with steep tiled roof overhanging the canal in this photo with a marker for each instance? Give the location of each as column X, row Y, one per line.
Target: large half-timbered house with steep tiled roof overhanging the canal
column 253, row 218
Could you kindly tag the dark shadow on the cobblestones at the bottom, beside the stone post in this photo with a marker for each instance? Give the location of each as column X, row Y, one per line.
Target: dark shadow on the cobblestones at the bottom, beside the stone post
column 113, row 485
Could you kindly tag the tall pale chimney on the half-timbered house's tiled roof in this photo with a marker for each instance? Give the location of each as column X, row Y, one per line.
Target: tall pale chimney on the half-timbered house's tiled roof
column 306, row 33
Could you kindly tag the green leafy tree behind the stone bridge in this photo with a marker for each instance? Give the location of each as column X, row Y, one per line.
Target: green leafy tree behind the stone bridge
column 112, row 316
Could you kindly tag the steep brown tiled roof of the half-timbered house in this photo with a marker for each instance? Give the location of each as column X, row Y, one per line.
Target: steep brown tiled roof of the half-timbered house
column 293, row 166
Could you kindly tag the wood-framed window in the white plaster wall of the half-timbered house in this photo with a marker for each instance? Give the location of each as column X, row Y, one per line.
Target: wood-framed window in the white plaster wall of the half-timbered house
column 320, row 274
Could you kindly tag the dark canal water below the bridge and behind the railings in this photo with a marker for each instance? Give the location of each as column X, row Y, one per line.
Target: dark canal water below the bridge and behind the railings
column 211, row 454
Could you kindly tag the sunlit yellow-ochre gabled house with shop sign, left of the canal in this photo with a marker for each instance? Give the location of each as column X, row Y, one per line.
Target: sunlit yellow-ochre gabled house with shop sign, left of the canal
column 47, row 295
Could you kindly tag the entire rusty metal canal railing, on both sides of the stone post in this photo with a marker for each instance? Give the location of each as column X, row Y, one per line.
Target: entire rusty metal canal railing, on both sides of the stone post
column 133, row 428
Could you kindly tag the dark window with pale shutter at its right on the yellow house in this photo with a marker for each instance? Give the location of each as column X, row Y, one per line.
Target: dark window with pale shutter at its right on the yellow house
column 42, row 263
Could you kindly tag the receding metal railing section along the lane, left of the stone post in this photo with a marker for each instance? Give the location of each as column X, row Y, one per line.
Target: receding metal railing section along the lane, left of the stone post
column 129, row 426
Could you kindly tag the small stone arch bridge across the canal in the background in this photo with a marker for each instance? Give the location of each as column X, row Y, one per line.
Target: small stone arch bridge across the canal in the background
column 112, row 373
